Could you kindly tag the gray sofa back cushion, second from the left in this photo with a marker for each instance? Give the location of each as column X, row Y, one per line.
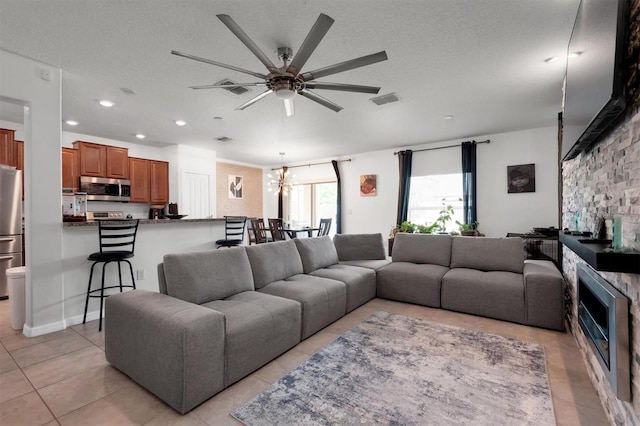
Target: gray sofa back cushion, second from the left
column 273, row 262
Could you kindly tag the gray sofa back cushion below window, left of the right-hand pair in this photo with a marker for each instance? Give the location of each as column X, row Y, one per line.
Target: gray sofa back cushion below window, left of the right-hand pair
column 422, row 248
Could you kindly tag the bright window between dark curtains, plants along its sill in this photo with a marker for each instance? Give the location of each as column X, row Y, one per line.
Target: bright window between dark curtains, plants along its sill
column 429, row 194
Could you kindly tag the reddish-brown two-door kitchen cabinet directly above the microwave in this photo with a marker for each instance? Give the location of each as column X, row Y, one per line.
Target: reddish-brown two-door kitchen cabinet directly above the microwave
column 103, row 160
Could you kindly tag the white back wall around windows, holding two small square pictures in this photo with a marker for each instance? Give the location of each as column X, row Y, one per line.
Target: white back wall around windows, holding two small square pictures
column 498, row 212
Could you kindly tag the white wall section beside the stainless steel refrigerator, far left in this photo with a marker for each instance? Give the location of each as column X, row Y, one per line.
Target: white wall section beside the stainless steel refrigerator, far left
column 21, row 82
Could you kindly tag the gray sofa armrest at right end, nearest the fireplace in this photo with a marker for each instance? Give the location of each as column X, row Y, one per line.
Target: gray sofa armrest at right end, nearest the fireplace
column 544, row 294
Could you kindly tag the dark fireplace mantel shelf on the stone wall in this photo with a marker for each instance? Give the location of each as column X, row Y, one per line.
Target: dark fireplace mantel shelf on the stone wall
column 600, row 258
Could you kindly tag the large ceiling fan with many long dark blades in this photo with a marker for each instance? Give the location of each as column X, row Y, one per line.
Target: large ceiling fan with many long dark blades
column 288, row 80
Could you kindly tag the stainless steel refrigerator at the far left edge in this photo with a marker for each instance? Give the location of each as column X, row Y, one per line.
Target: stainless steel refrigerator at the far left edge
column 10, row 223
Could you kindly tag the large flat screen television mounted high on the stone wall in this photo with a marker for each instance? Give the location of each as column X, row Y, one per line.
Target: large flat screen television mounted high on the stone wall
column 594, row 86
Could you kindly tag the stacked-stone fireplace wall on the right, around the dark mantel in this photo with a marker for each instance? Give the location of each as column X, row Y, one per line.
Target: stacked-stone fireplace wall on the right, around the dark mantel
column 604, row 182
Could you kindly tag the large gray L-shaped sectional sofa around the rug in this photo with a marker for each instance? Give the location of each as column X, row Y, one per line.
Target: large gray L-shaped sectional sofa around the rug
column 222, row 314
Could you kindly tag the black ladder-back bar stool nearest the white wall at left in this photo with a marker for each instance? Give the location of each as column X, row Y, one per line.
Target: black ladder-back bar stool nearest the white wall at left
column 117, row 242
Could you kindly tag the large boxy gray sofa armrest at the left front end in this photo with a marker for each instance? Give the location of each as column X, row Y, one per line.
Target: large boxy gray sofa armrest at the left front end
column 173, row 348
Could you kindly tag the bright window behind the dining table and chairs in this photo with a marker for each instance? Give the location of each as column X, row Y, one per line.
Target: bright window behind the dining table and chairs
column 310, row 202
